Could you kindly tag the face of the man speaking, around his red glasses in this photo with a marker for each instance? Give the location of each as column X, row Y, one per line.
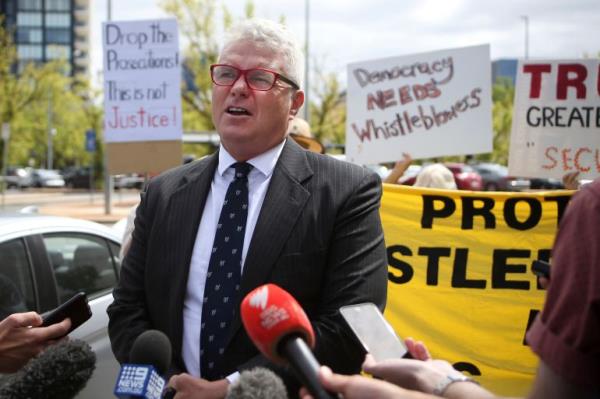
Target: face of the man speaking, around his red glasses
column 251, row 122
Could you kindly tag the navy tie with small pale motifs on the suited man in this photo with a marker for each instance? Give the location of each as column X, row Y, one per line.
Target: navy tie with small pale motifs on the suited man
column 224, row 270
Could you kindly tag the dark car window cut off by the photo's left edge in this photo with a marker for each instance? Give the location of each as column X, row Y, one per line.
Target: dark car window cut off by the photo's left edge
column 16, row 286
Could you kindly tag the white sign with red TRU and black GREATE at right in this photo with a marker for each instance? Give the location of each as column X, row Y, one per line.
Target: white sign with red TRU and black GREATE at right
column 556, row 119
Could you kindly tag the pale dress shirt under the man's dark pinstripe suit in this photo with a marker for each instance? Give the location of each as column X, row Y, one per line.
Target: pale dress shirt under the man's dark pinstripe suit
column 258, row 182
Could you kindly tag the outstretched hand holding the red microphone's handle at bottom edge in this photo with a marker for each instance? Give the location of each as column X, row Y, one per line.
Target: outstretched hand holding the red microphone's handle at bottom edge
column 358, row 387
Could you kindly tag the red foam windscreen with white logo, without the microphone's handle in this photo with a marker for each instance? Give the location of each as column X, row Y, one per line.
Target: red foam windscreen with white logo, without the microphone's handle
column 270, row 314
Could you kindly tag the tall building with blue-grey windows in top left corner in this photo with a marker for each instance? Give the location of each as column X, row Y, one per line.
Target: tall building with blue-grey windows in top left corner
column 46, row 30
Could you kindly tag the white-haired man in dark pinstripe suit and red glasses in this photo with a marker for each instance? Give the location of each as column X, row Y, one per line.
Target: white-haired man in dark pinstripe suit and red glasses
column 310, row 225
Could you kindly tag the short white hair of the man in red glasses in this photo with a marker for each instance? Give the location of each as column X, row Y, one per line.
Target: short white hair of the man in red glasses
column 273, row 36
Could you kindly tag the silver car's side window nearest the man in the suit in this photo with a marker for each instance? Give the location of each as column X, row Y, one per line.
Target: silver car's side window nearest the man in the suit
column 81, row 262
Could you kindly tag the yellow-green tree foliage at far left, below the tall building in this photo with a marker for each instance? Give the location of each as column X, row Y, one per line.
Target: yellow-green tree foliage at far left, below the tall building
column 41, row 97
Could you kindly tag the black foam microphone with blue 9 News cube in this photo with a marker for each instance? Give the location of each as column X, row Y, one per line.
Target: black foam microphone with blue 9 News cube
column 149, row 358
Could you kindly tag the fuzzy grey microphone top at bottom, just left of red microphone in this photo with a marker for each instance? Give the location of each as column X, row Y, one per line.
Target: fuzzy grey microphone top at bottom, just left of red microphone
column 257, row 383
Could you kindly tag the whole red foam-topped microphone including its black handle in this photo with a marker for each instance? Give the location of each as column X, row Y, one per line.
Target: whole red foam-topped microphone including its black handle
column 280, row 329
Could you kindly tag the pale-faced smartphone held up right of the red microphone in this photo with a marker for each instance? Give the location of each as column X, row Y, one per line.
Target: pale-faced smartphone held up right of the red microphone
column 373, row 331
